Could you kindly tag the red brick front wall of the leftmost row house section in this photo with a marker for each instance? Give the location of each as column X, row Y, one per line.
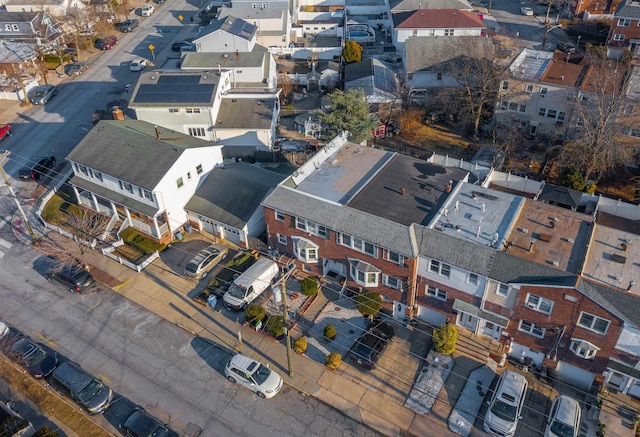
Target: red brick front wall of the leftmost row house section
column 328, row 248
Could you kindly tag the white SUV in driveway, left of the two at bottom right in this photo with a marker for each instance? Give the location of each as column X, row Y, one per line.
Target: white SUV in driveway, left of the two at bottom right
column 506, row 404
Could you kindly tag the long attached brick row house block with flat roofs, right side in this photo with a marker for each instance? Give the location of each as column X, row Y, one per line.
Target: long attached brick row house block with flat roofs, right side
column 524, row 272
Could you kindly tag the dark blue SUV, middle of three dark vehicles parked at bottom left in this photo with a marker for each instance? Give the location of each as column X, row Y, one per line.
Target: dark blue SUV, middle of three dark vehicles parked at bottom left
column 91, row 393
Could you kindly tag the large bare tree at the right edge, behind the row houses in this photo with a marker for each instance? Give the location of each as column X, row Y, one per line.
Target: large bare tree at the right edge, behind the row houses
column 600, row 110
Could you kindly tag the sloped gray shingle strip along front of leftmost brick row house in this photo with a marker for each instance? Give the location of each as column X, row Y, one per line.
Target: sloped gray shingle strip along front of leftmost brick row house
column 381, row 232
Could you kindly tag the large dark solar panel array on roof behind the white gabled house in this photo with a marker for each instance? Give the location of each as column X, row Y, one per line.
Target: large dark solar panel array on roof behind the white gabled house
column 176, row 89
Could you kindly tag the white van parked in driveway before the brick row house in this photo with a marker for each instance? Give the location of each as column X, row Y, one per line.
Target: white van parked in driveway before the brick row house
column 251, row 283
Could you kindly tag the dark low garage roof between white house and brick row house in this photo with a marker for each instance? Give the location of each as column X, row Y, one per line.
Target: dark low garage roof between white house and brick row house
column 232, row 194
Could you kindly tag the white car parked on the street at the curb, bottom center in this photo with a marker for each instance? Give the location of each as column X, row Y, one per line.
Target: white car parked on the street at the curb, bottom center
column 255, row 376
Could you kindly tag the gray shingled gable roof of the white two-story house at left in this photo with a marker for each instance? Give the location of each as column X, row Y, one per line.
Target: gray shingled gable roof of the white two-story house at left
column 129, row 150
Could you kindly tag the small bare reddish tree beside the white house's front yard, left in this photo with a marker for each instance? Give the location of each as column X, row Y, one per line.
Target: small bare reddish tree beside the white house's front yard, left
column 86, row 227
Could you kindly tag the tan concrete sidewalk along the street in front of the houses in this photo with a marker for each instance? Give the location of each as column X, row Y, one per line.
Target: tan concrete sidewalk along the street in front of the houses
column 165, row 293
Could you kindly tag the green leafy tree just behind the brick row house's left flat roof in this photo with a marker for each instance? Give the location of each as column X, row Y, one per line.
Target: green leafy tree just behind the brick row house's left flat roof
column 347, row 112
